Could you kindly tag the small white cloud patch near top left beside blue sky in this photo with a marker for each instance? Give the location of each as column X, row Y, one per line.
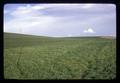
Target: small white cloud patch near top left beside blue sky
column 27, row 11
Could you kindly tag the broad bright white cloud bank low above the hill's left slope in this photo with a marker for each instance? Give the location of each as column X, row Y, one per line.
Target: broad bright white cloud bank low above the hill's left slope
column 28, row 25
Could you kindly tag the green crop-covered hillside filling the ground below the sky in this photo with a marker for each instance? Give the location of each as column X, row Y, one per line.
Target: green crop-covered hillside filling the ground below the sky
column 34, row 57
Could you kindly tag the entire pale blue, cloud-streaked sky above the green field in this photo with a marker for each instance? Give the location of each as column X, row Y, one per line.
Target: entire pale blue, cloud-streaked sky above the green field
column 61, row 20
